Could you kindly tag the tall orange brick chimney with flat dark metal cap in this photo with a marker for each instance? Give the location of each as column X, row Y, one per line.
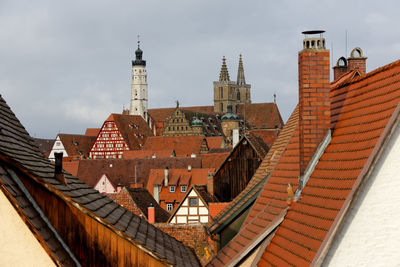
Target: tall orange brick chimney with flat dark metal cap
column 314, row 102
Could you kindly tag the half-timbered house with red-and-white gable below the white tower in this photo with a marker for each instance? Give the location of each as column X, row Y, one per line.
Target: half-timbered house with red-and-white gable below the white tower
column 118, row 134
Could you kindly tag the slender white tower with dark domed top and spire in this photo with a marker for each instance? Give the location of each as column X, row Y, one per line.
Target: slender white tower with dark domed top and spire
column 139, row 86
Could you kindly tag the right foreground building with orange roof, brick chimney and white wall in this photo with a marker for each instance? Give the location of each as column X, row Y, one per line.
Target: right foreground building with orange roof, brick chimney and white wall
column 321, row 203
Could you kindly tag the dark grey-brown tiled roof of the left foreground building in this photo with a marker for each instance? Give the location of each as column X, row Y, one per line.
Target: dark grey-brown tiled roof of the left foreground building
column 17, row 149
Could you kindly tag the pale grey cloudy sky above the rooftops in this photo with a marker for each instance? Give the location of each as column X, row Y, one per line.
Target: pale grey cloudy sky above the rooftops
column 66, row 65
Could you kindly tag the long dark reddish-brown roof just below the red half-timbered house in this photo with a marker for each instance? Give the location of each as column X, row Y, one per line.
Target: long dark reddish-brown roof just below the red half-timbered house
column 123, row 170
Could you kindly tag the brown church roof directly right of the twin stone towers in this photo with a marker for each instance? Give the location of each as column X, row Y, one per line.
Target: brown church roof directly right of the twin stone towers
column 261, row 115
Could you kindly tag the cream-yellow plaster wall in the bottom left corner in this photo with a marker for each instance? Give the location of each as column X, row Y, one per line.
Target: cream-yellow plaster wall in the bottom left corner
column 18, row 246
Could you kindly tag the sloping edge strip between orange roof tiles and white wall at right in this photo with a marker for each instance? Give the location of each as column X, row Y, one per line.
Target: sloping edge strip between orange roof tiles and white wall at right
column 391, row 126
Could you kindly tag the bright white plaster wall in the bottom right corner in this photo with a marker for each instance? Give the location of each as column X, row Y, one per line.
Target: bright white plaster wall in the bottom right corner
column 370, row 235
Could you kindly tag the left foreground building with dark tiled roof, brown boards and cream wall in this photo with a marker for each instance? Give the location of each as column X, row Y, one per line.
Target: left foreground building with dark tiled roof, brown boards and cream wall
column 51, row 218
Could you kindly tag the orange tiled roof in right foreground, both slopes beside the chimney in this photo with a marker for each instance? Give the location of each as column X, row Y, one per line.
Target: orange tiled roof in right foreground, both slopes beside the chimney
column 363, row 112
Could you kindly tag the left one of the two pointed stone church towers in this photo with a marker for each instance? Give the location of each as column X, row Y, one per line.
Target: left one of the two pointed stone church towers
column 224, row 90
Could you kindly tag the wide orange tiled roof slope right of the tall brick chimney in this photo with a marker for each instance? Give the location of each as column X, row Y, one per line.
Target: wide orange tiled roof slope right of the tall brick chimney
column 359, row 119
